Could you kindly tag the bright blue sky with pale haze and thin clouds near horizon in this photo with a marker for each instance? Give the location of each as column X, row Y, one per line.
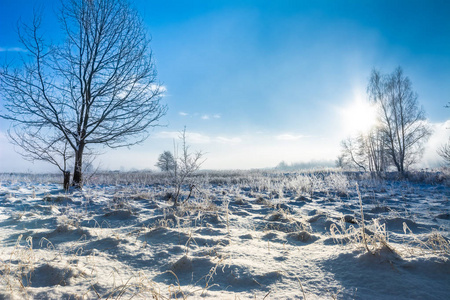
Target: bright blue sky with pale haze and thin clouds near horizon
column 258, row 82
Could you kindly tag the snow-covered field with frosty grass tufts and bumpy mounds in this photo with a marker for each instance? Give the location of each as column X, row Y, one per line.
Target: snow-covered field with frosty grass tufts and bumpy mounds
column 242, row 235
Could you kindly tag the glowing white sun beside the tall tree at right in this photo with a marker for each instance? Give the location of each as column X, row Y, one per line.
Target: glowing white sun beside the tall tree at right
column 358, row 117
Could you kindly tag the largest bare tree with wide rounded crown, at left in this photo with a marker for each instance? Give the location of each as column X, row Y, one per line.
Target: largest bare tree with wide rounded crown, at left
column 97, row 88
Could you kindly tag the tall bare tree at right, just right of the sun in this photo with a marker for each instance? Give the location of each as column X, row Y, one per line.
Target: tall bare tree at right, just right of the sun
column 402, row 121
